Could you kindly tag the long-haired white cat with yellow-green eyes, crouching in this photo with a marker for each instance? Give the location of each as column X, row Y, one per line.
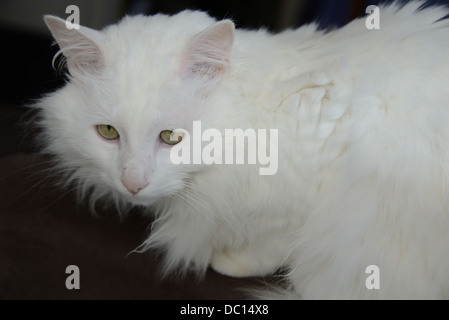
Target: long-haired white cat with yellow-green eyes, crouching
column 363, row 122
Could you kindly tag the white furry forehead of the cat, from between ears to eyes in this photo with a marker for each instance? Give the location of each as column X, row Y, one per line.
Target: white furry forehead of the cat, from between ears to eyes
column 140, row 73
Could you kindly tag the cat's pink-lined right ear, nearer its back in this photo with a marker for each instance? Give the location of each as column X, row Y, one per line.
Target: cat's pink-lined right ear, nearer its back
column 208, row 54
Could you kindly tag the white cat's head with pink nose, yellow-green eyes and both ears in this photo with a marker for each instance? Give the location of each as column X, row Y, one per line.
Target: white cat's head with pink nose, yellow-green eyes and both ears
column 127, row 84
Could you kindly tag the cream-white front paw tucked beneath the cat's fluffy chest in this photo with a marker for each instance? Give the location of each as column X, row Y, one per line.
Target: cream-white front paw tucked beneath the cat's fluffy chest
column 240, row 264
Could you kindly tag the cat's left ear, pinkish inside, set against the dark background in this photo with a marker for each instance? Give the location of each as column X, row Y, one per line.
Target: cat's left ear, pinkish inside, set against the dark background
column 81, row 46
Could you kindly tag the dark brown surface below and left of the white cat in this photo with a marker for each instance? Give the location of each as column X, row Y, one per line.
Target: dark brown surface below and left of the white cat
column 43, row 230
